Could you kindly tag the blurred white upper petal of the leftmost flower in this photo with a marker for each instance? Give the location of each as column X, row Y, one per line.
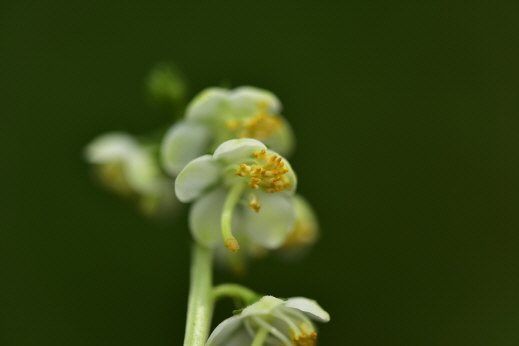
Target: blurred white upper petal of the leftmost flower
column 110, row 147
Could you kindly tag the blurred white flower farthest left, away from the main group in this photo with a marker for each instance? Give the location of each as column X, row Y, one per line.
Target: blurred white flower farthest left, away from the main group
column 131, row 170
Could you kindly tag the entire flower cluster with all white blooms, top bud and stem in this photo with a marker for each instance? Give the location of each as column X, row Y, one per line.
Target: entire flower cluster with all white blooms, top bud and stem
column 228, row 156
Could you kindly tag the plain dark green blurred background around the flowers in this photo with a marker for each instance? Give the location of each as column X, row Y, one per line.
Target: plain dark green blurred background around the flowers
column 406, row 115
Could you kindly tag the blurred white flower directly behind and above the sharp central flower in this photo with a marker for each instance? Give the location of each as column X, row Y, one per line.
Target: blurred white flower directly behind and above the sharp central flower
column 217, row 115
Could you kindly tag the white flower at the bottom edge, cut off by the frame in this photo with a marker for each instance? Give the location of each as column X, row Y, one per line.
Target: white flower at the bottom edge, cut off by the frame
column 287, row 323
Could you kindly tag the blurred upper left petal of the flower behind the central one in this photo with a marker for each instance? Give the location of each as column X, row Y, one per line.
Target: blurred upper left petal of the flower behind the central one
column 207, row 105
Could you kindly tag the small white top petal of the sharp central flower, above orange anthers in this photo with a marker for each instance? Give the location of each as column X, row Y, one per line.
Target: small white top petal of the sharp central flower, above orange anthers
column 237, row 151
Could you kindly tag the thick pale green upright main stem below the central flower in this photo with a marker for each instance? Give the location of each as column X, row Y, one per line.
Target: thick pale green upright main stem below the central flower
column 200, row 302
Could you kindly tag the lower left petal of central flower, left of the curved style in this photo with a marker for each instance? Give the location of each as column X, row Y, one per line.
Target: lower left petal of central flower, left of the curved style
column 205, row 217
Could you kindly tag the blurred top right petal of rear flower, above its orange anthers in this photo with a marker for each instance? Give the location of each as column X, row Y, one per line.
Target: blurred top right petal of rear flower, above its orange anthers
column 247, row 100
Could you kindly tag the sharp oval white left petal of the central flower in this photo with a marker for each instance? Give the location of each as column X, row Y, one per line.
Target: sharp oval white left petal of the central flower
column 196, row 177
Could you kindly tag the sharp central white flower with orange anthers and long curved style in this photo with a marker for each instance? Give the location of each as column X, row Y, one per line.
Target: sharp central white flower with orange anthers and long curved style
column 243, row 186
